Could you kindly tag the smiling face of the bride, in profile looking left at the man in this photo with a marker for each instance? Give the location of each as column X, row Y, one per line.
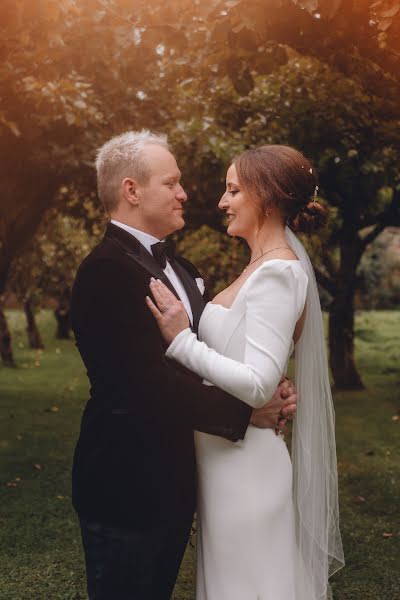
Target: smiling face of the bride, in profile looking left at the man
column 243, row 215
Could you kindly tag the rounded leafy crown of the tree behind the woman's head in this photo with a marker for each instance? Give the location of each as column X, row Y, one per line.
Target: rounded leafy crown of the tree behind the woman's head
column 354, row 144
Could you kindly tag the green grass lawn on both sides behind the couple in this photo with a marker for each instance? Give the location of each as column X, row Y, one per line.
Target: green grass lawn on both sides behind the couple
column 40, row 406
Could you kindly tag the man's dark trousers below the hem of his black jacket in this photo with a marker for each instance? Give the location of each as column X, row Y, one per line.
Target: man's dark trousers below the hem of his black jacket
column 125, row 564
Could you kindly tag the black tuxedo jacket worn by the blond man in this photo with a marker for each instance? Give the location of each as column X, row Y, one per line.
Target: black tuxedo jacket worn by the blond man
column 134, row 461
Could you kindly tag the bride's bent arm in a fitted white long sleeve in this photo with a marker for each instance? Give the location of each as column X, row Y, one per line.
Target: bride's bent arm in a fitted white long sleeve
column 274, row 300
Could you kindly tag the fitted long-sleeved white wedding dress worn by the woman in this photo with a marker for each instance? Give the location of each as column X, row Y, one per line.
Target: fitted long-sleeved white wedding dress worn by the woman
column 246, row 542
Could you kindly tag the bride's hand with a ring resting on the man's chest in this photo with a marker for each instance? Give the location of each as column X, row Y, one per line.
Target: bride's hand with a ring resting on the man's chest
column 169, row 313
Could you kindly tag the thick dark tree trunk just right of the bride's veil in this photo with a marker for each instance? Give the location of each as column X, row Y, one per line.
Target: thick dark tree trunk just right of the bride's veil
column 341, row 319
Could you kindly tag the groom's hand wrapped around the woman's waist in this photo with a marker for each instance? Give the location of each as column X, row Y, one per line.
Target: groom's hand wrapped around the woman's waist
column 278, row 410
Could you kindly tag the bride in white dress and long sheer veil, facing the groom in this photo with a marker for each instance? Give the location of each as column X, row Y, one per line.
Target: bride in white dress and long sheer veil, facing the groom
column 268, row 528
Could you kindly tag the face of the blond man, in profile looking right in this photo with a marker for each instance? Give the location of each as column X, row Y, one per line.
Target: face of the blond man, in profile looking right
column 162, row 197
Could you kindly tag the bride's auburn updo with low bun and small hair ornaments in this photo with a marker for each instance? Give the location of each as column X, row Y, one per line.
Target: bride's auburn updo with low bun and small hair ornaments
column 281, row 176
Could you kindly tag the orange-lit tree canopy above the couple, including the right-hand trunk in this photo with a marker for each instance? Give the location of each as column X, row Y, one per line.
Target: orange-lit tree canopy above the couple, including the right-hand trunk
column 218, row 76
